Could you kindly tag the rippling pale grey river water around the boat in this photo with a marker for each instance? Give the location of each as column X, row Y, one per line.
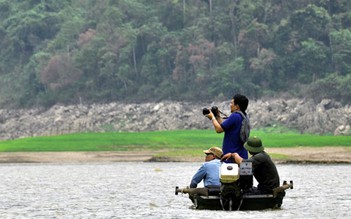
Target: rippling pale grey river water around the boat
column 146, row 190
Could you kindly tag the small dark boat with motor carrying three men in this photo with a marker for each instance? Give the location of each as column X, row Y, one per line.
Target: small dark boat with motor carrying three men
column 214, row 198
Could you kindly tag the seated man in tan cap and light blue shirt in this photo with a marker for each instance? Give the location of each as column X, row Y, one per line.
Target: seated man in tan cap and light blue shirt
column 209, row 171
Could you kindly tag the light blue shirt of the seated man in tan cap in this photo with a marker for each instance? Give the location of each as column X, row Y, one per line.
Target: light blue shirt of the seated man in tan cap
column 209, row 172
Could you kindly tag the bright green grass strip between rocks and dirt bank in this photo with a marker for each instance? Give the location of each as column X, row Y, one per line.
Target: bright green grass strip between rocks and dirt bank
column 161, row 140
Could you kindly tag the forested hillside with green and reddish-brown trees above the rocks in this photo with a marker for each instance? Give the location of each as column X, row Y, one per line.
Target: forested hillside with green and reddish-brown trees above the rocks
column 86, row 51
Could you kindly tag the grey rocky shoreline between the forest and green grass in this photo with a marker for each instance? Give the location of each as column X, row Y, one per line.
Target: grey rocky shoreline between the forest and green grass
column 306, row 116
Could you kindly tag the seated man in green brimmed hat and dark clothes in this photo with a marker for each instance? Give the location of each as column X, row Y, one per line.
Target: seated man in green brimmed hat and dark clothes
column 263, row 168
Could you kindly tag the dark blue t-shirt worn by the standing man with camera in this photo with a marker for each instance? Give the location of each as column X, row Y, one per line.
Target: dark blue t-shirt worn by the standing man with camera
column 231, row 140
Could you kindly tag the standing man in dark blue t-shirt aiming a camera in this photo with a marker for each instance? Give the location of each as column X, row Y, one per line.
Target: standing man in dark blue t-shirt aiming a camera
column 232, row 126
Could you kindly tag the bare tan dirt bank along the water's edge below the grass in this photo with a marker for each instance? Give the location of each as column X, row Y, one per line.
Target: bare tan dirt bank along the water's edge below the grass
column 281, row 155
